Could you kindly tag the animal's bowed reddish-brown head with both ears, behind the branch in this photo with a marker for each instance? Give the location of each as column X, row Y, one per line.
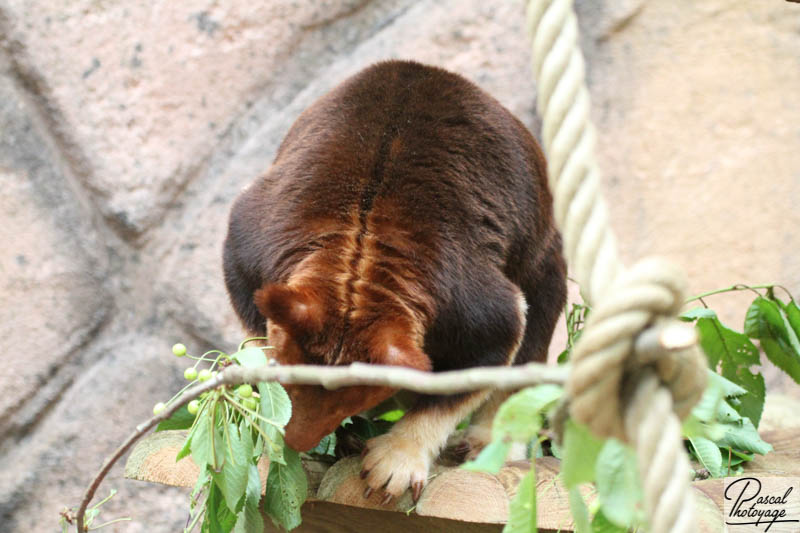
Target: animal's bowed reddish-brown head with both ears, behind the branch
column 307, row 325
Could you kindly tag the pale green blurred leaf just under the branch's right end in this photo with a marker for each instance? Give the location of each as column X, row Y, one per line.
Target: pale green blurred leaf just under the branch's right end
column 520, row 417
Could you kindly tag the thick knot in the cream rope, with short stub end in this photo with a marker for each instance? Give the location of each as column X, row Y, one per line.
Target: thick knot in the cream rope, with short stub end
column 632, row 333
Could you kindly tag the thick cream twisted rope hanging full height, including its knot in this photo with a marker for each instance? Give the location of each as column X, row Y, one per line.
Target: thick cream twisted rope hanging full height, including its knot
column 618, row 387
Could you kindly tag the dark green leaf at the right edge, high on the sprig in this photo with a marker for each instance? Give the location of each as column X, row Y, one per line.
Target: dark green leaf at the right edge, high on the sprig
column 767, row 322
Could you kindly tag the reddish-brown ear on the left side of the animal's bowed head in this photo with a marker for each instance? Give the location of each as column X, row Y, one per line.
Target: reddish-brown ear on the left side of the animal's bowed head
column 296, row 309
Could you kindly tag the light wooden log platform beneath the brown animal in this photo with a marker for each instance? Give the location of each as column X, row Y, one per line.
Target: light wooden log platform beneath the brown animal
column 456, row 500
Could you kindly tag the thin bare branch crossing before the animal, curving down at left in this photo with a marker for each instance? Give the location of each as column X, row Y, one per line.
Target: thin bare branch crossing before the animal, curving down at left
column 334, row 377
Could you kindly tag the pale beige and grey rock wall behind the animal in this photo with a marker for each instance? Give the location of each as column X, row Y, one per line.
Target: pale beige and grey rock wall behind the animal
column 127, row 128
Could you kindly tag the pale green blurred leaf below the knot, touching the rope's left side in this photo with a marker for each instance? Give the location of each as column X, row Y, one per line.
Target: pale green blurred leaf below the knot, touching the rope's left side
column 618, row 483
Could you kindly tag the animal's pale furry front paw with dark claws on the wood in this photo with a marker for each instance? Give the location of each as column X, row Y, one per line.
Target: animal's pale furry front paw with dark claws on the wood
column 392, row 463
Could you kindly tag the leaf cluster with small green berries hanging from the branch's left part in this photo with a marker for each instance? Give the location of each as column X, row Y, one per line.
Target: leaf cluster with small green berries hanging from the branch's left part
column 231, row 430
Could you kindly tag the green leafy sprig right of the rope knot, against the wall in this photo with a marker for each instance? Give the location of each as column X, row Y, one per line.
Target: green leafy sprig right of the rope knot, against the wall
column 728, row 415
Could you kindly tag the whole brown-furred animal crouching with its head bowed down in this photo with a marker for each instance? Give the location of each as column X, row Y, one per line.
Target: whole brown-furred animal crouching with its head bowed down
column 405, row 221
